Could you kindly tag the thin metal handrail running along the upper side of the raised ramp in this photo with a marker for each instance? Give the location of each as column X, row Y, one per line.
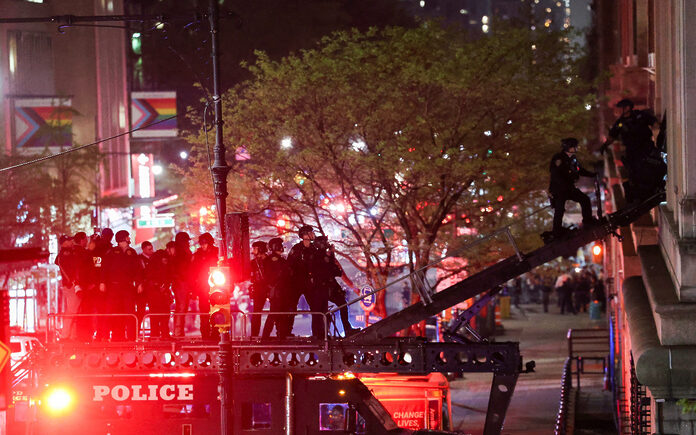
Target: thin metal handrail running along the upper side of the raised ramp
column 418, row 277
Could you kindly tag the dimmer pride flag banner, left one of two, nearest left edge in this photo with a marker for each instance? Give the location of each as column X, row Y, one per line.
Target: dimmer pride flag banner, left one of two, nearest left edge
column 41, row 123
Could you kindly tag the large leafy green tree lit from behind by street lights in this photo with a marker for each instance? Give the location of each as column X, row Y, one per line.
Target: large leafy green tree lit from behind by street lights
column 395, row 133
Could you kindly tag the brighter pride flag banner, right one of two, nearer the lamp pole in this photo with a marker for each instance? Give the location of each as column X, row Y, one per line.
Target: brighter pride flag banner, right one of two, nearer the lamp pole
column 153, row 114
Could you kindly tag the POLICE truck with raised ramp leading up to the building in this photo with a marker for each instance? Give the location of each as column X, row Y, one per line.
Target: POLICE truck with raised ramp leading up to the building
column 299, row 385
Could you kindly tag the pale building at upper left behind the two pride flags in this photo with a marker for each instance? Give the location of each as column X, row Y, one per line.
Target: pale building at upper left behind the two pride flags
column 66, row 79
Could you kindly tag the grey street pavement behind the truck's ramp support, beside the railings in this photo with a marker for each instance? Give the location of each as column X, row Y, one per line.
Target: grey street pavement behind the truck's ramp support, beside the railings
column 534, row 405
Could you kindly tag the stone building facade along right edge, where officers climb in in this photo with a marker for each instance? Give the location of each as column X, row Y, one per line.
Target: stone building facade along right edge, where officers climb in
column 646, row 45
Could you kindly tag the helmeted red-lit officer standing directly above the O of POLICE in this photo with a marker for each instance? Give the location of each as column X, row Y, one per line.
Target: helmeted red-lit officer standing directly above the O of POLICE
column 121, row 280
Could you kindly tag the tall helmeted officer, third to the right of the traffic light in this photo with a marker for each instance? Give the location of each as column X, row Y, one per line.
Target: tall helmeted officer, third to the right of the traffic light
column 299, row 258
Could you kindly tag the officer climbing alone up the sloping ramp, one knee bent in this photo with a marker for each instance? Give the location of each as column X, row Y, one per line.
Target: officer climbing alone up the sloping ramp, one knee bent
column 565, row 172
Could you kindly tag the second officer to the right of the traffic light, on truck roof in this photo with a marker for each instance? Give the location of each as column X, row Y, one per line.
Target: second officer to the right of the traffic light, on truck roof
column 277, row 276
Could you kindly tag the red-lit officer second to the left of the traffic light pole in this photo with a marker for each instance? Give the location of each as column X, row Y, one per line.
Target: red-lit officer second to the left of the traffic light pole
column 182, row 279
